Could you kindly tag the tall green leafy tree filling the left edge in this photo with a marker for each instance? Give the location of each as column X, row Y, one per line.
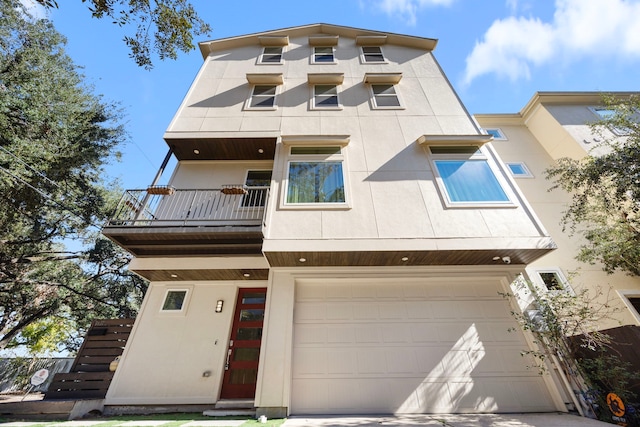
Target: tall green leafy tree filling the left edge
column 55, row 137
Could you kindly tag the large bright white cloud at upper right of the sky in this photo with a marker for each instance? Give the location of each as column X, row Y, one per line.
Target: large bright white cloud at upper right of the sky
column 579, row 28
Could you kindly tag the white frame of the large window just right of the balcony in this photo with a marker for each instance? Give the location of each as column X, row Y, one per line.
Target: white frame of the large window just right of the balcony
column 340, row 157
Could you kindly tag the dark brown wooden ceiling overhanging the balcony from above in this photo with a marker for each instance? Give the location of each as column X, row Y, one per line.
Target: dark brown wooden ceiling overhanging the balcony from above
column 223, row 148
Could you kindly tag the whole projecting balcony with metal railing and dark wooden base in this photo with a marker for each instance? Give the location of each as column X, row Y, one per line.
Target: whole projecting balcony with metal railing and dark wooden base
column 163, row 221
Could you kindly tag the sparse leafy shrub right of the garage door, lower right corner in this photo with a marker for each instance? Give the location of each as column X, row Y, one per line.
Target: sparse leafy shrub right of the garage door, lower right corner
column 565, row 326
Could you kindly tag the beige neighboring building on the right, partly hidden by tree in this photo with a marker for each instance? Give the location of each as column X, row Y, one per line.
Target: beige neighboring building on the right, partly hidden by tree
column 554, row 125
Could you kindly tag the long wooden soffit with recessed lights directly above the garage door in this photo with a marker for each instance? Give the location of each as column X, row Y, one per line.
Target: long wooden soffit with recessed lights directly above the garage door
column 395, row 258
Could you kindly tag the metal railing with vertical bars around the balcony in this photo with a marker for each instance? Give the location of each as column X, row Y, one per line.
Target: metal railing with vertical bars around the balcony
column 162, row 206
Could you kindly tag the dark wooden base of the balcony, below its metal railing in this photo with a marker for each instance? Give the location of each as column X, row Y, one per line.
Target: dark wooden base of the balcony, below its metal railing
column 180, row 241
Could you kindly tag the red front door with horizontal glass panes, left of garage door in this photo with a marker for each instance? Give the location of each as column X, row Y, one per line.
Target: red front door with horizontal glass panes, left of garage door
column 241, row 370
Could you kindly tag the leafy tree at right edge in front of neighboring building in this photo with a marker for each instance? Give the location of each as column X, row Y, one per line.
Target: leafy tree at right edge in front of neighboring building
column 605, row 190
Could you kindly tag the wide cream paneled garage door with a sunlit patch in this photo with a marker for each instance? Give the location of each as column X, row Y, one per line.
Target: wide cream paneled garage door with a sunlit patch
column 411, row 346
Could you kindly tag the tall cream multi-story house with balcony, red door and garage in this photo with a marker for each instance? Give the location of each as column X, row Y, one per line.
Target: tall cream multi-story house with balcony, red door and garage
column 334, row 239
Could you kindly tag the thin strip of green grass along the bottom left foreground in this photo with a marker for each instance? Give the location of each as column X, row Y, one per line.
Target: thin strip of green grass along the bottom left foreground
column 174, row 420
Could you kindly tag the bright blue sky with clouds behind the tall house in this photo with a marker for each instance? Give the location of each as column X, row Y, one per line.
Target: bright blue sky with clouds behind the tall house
column 496, row 53
